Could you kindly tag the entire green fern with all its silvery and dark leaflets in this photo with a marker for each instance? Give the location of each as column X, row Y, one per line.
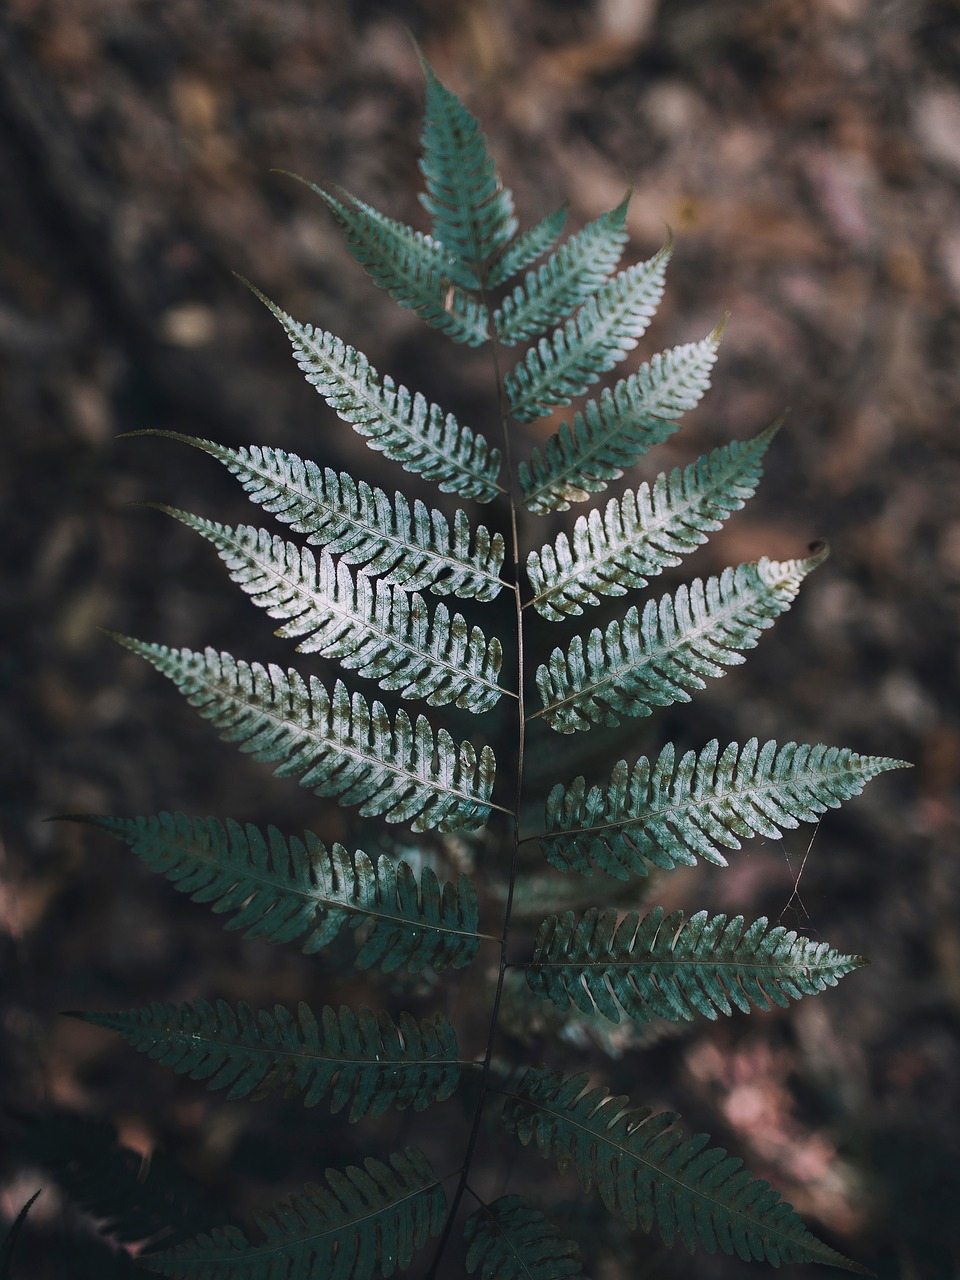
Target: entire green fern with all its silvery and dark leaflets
column 598, row 979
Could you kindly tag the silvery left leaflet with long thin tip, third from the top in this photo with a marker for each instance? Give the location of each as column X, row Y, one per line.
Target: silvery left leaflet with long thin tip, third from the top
column 414, row 548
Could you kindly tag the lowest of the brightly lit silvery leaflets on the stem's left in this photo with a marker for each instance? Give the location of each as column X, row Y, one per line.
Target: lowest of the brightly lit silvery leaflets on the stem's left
column 341, row 746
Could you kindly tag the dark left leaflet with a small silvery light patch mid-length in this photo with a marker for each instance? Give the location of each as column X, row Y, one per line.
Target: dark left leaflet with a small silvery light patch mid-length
column 284, row 890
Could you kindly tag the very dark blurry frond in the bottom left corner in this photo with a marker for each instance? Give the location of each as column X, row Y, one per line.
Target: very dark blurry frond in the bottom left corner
column 132, row 1197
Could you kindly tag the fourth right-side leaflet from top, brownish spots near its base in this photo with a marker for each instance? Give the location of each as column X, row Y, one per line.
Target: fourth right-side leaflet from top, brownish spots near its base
column 618, row 431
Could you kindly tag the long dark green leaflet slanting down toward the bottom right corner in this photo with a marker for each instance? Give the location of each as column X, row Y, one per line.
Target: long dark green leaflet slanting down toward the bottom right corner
column 652, row 1176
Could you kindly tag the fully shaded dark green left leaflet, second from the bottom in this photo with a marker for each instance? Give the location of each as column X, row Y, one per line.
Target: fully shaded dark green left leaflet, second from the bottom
column 364, row 1059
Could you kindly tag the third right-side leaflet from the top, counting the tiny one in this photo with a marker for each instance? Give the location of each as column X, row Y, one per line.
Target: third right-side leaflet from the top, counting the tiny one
column 600, row 336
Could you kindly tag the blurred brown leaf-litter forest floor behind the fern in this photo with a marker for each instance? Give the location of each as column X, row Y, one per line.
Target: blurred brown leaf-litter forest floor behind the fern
column 807, row 158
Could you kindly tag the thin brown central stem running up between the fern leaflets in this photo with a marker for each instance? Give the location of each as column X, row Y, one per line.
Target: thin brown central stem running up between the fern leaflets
column 504, row 405
